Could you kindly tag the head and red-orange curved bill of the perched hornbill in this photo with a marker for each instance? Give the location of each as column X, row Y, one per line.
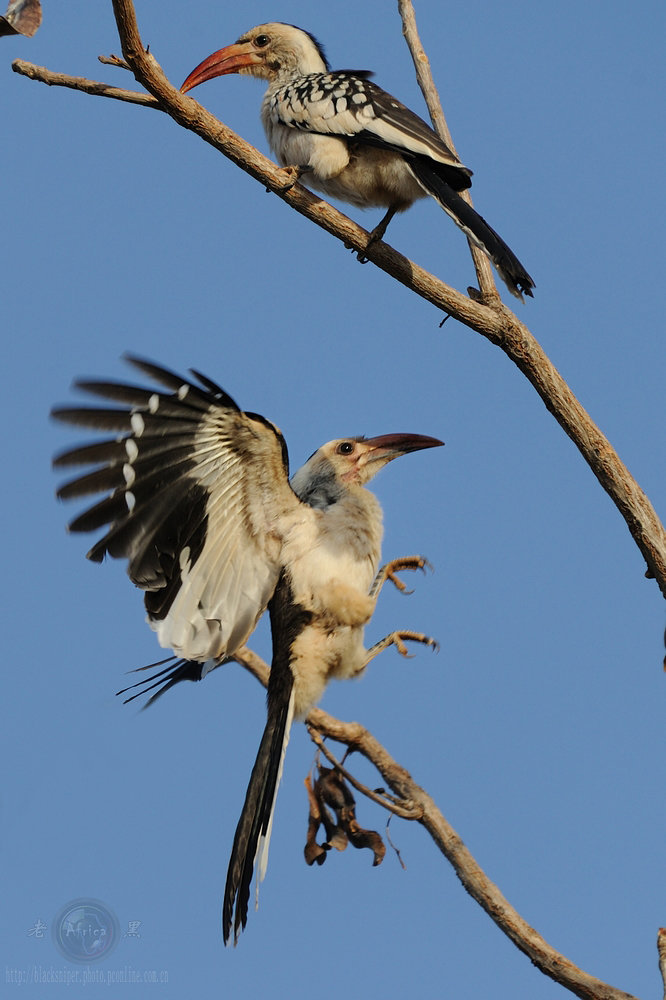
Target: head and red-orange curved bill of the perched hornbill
column 267, row 51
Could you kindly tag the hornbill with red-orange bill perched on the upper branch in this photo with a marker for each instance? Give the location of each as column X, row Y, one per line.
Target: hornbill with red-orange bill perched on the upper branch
column 350, row 139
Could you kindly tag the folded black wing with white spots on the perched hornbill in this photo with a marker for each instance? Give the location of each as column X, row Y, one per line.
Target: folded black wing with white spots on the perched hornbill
column 346, row 103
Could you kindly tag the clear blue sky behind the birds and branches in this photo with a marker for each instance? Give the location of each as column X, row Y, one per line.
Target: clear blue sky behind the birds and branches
column 539, row 727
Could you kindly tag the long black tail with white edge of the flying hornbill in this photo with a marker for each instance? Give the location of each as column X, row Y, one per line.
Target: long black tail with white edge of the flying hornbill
column 254, row 826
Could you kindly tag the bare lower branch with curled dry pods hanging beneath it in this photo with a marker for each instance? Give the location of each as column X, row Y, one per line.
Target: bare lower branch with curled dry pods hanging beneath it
column 415, row 800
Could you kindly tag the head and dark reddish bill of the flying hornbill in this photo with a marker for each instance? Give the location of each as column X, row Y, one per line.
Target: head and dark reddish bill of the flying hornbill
column 340, row 465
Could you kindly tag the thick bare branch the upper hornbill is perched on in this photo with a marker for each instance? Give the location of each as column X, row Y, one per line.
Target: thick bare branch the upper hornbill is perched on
column 490, row 318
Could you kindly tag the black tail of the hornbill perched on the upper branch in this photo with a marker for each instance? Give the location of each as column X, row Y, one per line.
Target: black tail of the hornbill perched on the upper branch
column 475, row 226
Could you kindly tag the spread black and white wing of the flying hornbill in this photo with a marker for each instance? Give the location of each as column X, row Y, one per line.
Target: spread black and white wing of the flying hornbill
column 199, row 499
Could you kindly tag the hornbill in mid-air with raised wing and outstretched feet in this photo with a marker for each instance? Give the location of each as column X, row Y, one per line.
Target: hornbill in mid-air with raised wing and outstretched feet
column 200, row 503
